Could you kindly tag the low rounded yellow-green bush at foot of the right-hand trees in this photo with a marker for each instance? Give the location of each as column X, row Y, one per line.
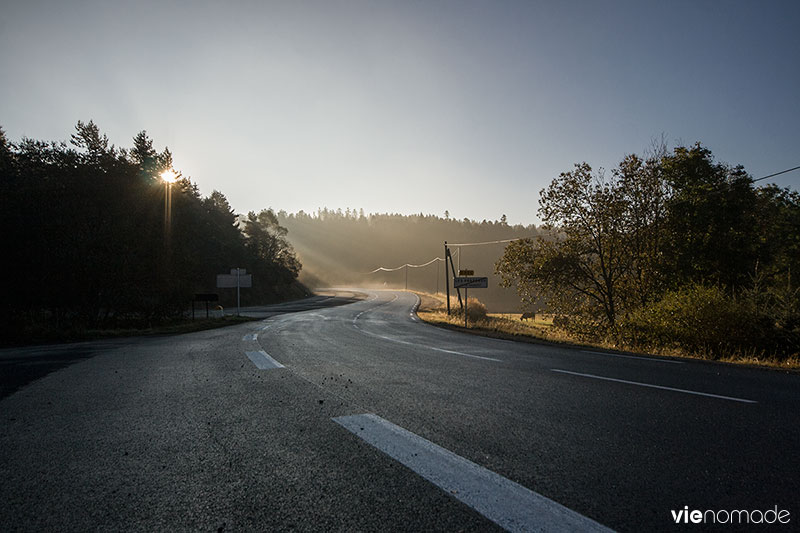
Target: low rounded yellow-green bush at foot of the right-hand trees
column 706, row 321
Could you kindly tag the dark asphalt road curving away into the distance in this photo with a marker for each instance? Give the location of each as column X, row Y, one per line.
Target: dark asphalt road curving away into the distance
column 360, row 417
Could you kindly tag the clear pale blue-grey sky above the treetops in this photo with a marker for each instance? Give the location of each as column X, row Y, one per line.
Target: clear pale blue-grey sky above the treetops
column 407, row 106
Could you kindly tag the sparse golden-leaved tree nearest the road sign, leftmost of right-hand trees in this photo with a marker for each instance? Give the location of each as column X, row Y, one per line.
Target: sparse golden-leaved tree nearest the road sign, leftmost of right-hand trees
column 578, row 270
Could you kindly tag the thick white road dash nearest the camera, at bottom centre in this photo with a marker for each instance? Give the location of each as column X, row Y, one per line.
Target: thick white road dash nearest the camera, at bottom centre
column 504, row 502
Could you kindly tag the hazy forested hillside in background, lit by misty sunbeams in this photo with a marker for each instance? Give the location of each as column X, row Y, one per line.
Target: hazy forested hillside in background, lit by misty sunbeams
column 343, row 248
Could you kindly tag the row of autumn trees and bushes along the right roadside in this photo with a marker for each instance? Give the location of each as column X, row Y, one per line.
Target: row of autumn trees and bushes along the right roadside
column 669, row 250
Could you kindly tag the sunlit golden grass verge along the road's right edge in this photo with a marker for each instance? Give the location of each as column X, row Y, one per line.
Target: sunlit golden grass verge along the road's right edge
column 509, row 326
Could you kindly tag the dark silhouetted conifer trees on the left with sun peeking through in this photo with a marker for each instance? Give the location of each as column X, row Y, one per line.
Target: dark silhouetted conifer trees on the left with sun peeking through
column 94, row 237
